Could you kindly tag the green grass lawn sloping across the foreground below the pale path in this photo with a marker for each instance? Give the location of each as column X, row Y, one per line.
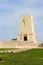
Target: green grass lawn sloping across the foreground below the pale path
column 29, row 57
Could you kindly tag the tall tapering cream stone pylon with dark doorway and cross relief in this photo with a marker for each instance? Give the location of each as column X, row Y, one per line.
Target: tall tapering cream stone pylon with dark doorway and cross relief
column 26, row 30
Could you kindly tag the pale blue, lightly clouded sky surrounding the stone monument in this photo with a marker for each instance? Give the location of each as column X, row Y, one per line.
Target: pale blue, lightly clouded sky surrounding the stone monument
column 10, row 12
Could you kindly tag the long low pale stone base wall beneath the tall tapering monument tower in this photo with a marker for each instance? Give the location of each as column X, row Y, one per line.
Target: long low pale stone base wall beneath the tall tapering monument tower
column 17, row 44
